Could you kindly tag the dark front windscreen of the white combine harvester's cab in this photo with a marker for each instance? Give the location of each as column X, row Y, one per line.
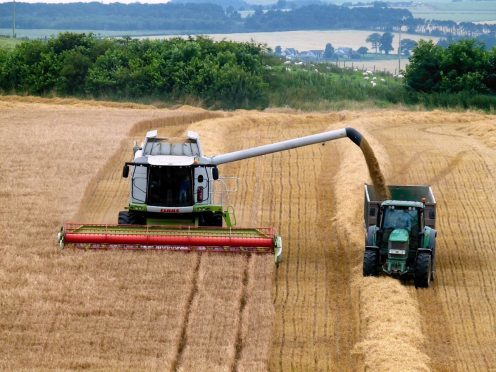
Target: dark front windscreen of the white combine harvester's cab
column 170, row 186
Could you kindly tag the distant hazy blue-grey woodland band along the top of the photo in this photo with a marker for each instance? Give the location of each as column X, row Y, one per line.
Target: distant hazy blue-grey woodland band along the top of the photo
column 200, row 17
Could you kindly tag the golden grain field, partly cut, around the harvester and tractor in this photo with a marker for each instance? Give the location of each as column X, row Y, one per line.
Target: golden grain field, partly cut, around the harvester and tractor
column 176, row 311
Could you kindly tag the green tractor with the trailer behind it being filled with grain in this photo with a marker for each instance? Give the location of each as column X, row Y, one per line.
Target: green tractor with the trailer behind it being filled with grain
column 400, row 235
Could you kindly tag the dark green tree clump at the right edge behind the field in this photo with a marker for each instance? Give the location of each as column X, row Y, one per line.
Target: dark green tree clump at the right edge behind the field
column 464, row 66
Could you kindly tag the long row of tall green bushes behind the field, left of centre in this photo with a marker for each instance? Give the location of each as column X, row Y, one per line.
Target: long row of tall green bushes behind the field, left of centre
column 217, row 74
